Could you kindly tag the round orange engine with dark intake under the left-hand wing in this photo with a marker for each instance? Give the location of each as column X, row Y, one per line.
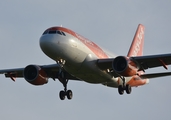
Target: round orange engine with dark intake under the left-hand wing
column 35, row 75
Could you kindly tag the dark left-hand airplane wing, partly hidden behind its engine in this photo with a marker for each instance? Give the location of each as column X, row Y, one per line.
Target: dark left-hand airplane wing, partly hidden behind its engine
column 52, row 71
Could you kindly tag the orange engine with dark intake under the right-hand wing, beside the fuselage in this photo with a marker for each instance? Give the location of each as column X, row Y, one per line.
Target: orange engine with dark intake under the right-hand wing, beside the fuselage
column 124, row 66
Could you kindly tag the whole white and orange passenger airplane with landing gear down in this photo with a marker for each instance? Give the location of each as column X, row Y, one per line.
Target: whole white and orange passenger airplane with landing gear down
column 78, row 58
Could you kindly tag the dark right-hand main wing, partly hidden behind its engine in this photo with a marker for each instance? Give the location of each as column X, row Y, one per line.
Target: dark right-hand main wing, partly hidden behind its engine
column 144, row 62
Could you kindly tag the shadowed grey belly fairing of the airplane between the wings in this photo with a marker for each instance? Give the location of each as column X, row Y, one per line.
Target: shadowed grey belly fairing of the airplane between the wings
column 90, row 73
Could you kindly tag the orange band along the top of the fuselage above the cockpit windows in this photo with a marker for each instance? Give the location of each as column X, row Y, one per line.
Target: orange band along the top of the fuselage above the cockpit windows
column 91, row 45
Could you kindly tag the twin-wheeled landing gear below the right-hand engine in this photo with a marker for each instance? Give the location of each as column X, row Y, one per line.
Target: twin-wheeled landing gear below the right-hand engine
column 123, row 87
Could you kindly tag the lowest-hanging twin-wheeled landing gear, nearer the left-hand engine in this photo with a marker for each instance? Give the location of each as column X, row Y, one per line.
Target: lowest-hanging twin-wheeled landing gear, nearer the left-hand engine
column 64, row 93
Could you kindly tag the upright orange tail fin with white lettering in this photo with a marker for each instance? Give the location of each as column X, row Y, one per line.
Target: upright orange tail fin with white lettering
column 136, row 48
